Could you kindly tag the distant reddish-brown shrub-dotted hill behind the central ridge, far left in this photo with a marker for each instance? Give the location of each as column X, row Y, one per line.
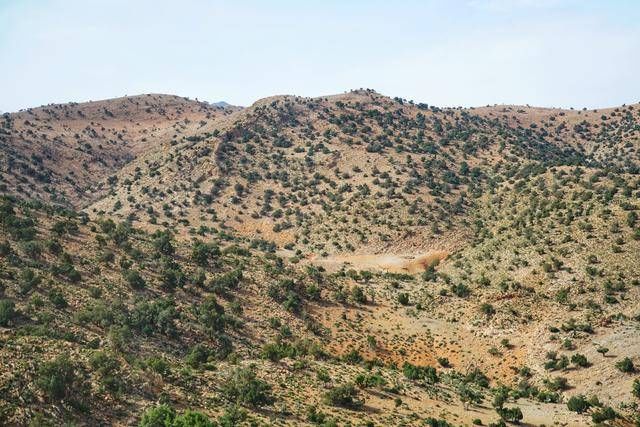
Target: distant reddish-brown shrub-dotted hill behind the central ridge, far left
column 60, row 152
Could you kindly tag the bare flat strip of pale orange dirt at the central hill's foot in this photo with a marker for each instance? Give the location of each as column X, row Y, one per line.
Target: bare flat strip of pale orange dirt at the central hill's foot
column 392, row 263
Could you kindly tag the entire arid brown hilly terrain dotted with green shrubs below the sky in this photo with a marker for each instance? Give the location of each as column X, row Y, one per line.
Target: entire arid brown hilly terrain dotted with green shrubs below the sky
column 343, row 260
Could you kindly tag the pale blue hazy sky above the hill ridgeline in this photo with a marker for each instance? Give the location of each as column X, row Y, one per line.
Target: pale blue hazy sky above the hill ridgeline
column 554, row 53
